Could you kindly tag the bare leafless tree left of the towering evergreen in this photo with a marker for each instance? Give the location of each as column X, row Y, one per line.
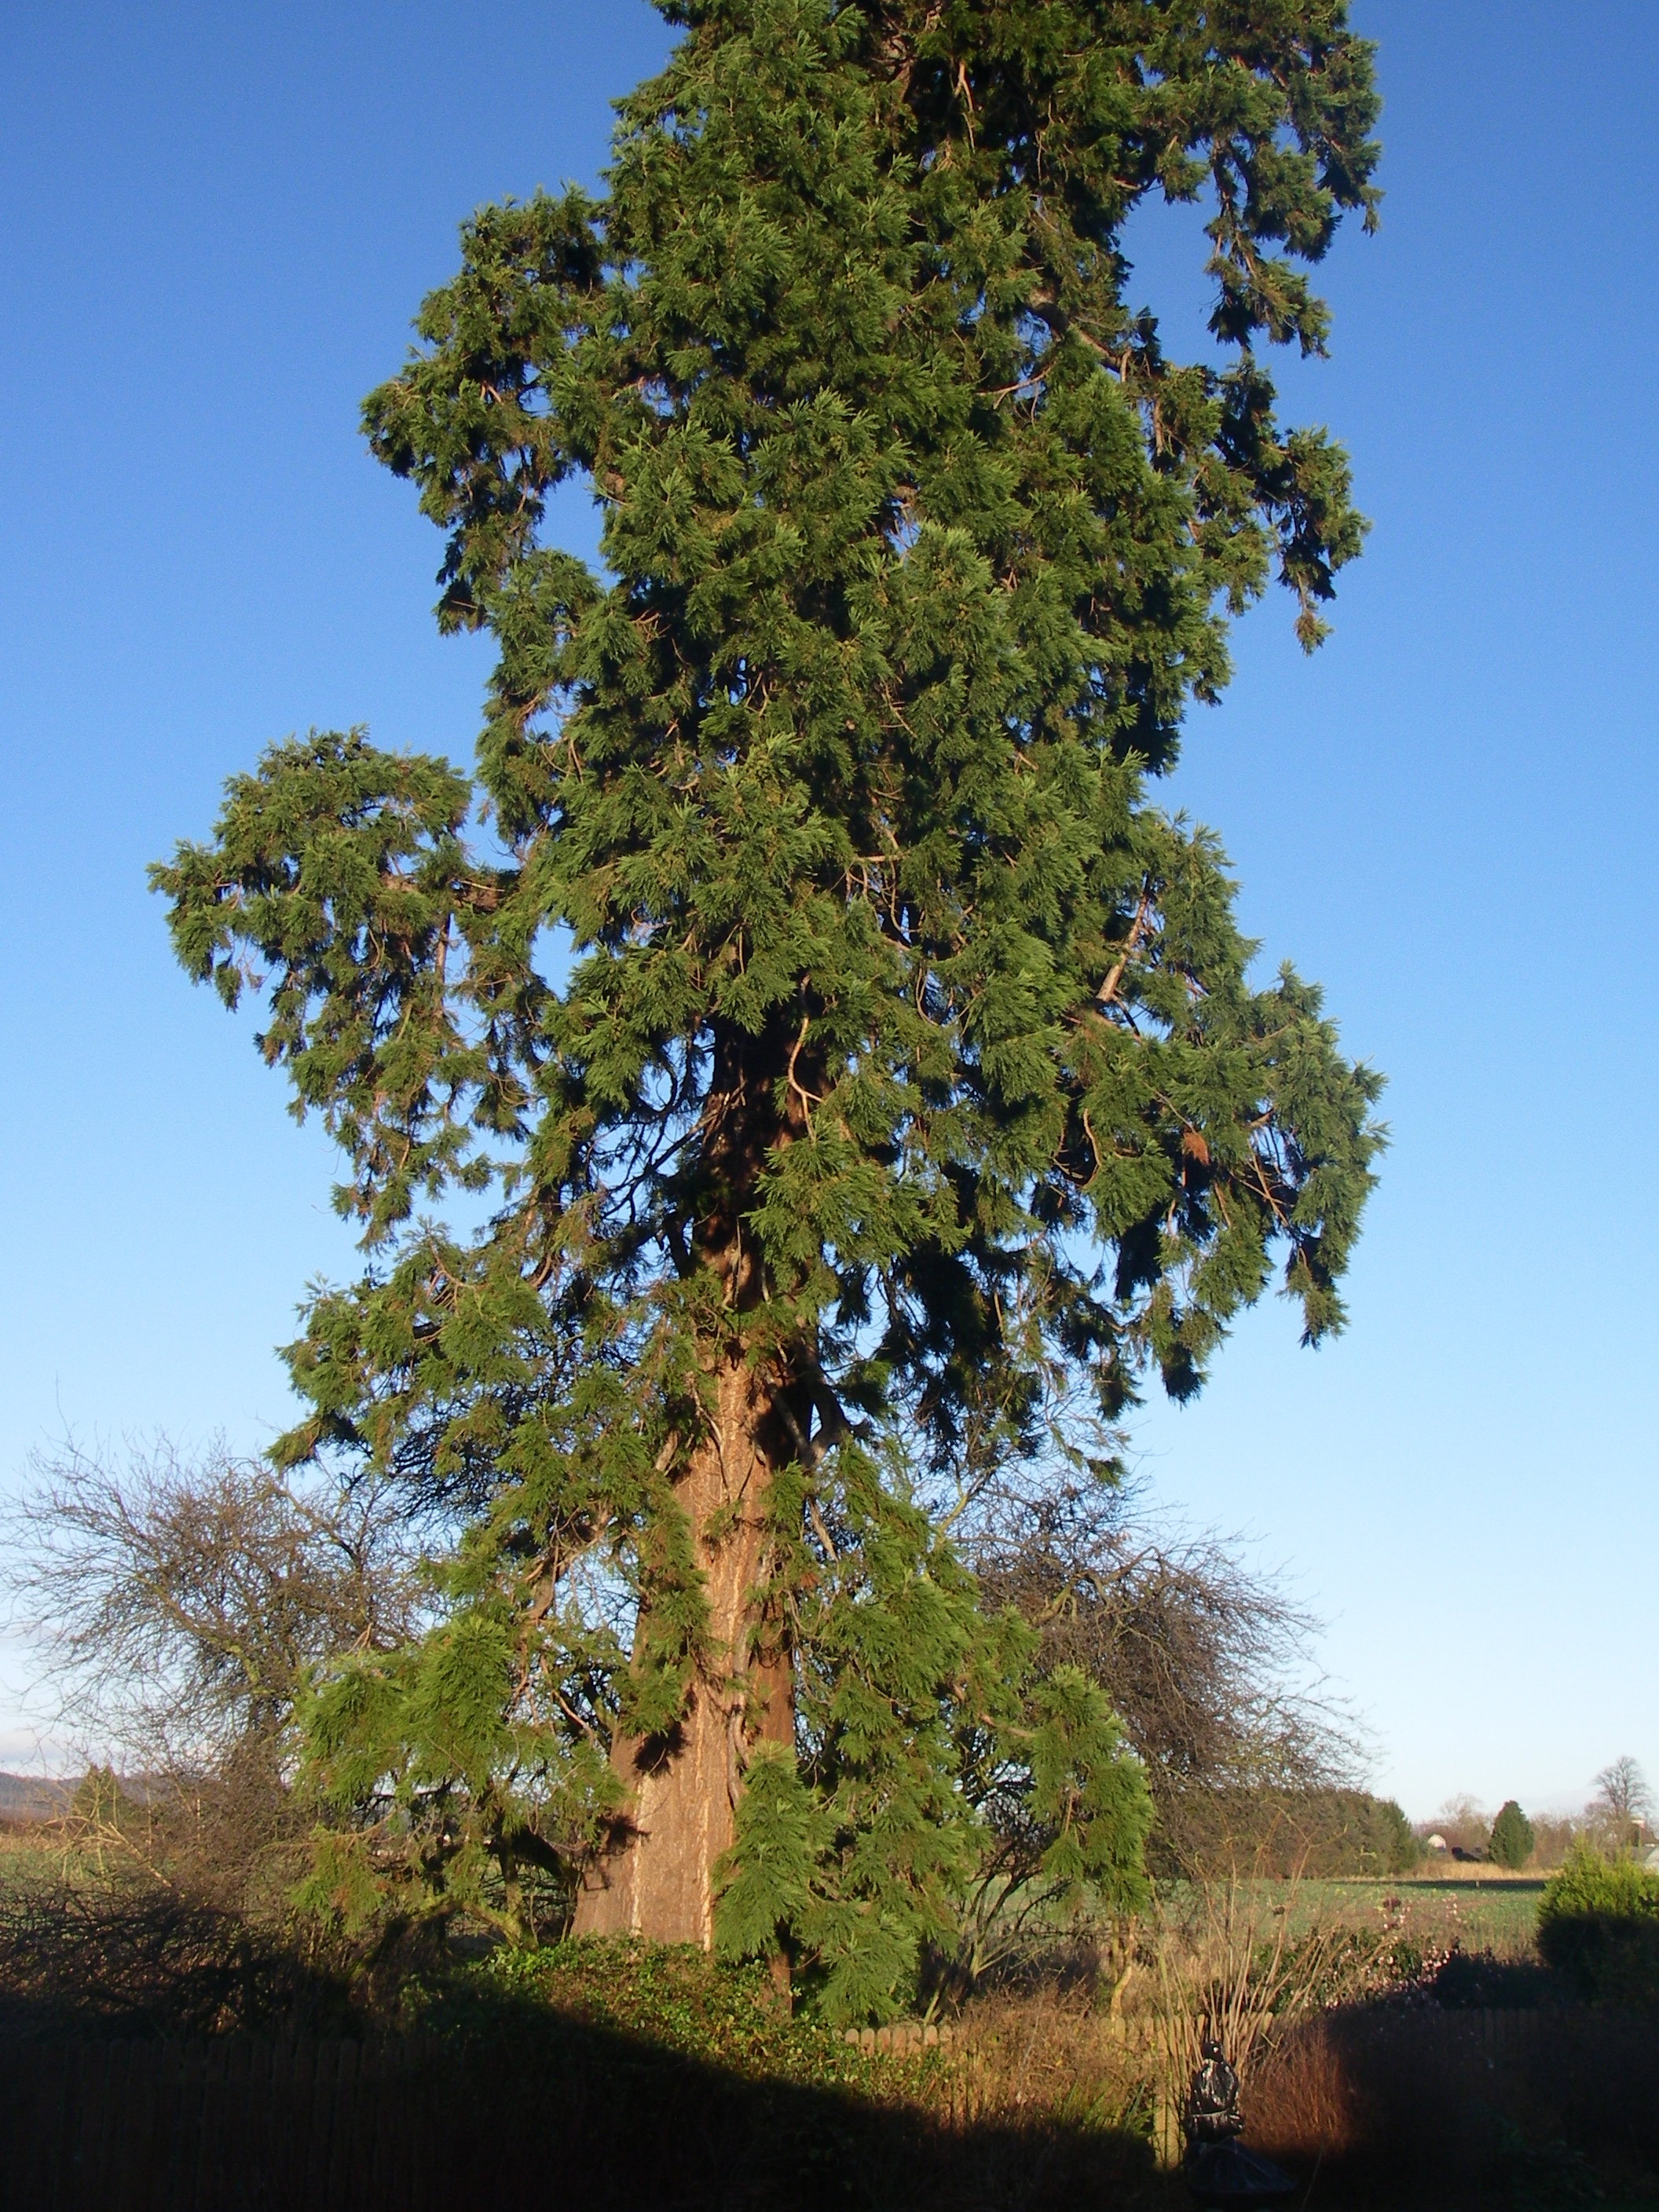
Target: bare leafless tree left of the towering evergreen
column 174, row 1611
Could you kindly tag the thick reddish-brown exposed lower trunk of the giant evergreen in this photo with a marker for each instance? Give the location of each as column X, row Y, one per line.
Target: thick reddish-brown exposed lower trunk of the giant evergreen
column 656, row 1877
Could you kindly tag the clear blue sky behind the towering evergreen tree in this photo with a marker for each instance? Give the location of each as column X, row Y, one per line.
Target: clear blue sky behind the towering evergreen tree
column 218, row 225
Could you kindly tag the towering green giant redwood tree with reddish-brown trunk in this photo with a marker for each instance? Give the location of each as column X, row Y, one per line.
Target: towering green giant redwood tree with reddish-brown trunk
column 806, row 1067
